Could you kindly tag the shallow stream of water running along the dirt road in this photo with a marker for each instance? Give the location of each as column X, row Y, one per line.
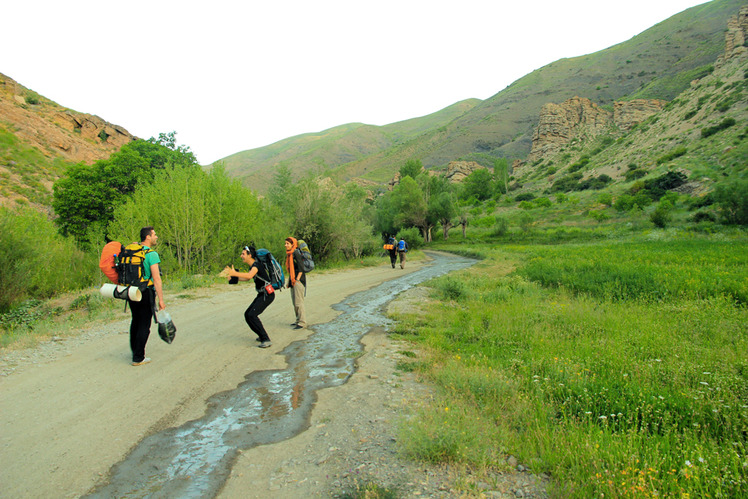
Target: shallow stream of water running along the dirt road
column 195, row 459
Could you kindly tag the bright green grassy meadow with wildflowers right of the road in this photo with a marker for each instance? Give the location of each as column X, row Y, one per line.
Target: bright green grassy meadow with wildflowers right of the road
column 635, row 389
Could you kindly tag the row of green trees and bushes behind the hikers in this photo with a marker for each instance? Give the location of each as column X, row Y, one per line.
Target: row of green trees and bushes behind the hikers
column 205, row 217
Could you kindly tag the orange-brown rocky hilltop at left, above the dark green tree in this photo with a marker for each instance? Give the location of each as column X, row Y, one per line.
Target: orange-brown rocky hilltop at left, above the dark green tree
column 55, row 130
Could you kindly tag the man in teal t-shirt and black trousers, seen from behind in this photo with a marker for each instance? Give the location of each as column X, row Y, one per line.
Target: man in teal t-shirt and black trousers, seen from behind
column 143, row 310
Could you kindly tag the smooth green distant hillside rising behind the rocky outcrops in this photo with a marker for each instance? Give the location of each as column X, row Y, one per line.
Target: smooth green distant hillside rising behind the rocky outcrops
column 658, row 63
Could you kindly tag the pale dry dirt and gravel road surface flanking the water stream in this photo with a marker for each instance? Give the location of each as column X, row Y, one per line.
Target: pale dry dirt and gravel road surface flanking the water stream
column 72, row 409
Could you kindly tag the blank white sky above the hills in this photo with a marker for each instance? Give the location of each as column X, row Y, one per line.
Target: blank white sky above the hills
column 234, row 75
